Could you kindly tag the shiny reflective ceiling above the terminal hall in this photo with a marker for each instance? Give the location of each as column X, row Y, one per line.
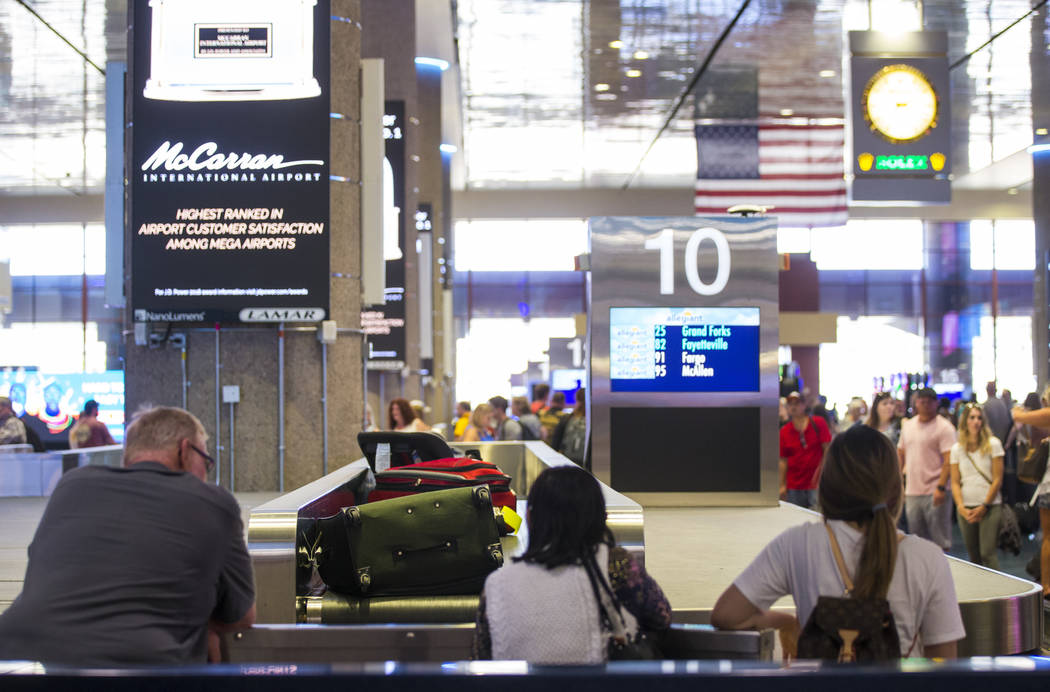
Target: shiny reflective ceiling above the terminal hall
column 557, row 95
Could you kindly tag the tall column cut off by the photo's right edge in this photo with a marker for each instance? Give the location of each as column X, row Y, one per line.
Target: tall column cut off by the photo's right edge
column 1041, row 195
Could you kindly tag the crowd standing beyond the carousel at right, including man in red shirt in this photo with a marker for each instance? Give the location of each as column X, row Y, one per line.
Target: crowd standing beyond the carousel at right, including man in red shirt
column 959, row 459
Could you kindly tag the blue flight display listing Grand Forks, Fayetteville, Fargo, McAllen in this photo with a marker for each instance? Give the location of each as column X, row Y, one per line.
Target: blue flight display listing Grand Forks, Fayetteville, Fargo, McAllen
column 684, row 349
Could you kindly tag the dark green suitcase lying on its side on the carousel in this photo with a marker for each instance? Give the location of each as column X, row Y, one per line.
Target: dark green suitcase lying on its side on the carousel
column 446, row 542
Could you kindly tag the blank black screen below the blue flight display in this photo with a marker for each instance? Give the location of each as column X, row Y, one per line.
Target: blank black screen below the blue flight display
column 681, row 450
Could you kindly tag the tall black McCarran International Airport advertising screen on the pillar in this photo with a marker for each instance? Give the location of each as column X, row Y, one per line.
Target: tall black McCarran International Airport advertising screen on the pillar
column 228, row 167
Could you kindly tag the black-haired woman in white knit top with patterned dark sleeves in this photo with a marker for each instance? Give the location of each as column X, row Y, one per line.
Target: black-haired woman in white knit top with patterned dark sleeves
column 542, row 607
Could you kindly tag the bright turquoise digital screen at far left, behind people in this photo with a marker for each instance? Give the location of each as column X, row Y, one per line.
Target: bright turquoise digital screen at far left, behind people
column 51, row 403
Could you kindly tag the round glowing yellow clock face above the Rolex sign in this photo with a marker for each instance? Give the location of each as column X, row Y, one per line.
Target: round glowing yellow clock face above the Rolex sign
column 900, row 103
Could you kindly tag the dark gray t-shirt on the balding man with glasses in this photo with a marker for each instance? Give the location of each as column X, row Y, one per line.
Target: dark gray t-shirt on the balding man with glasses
column 127, row 568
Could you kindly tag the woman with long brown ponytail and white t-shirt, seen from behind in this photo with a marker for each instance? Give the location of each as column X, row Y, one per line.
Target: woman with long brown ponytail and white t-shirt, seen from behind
column 860, row 495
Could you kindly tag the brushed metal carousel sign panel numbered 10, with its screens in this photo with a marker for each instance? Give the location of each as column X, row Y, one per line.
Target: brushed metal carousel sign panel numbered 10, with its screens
column 683, row 352
